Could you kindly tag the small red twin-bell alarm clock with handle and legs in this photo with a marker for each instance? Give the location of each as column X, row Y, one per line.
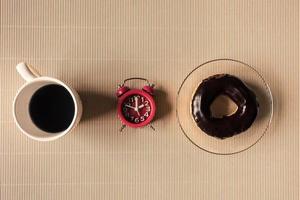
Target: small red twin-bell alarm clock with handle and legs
column 136, row 107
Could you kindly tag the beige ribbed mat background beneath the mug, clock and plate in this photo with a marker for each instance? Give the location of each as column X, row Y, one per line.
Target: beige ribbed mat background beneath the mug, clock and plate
column 93, row 45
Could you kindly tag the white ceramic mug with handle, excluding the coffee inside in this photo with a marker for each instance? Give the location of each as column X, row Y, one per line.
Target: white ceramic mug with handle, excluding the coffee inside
column 22, row 100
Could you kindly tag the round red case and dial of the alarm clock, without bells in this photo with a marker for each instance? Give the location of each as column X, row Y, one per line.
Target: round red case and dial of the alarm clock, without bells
column 137, row 108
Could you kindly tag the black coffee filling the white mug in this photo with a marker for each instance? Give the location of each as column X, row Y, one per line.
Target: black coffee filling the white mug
column 52, row 108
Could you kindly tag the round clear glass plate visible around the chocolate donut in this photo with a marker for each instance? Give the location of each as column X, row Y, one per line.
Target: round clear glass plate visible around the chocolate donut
column 238, row 142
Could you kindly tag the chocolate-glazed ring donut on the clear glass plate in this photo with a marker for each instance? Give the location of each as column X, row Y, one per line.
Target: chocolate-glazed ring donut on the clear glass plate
column 238, row 92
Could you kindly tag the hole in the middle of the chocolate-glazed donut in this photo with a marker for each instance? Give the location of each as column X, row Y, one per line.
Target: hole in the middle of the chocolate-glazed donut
column 223, row 106
